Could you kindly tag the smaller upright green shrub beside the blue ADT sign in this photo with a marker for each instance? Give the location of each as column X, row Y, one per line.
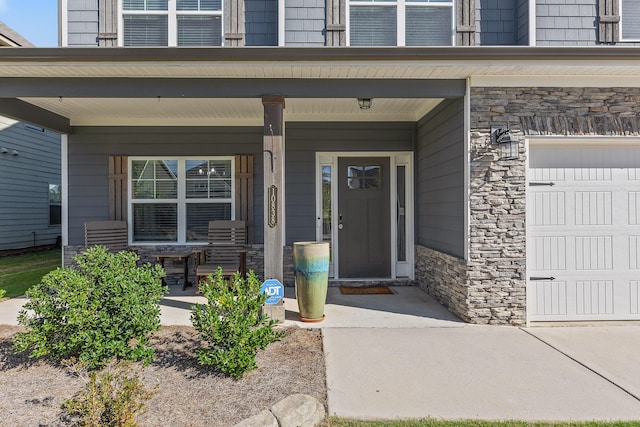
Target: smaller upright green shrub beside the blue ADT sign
column 231, row 323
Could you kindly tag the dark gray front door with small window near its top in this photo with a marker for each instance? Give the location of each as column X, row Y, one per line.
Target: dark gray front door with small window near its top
column 364, row 232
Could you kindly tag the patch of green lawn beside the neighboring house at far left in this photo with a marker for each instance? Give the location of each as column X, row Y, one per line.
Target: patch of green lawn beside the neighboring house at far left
column 20, row 272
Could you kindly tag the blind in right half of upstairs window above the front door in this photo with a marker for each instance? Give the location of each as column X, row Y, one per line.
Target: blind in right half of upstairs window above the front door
column 428, row 26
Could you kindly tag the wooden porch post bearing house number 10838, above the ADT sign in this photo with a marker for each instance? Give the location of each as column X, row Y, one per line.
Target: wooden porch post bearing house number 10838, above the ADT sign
column 273, row 186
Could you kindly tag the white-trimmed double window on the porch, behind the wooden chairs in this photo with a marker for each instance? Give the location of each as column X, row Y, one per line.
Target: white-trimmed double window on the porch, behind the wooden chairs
column 173, row 200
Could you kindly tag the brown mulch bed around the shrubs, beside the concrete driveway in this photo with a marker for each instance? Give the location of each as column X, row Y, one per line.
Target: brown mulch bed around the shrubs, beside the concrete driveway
column 31, row 391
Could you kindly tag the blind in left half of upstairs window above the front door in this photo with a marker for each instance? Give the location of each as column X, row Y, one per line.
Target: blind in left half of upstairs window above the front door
column 373, row 26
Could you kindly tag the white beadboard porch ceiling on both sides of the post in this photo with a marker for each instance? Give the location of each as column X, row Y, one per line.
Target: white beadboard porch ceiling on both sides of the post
column 225, row 111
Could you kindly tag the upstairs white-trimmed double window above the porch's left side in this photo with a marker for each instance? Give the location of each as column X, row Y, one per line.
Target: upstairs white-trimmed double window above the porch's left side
column 171, row 22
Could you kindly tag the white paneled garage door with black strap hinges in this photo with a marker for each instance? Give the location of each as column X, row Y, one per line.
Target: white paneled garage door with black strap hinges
column 583, row 240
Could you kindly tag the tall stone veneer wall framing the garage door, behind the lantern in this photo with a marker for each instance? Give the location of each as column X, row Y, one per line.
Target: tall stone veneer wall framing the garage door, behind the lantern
column 497, row 252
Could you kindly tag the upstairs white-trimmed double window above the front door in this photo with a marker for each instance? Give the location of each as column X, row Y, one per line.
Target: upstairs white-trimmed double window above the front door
column 400, row 22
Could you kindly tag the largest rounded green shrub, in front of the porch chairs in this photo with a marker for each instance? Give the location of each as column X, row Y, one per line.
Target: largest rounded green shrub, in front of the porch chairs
column 106, row 308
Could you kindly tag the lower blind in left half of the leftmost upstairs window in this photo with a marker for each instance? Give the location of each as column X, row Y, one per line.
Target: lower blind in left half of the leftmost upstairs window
column 146, row 30
